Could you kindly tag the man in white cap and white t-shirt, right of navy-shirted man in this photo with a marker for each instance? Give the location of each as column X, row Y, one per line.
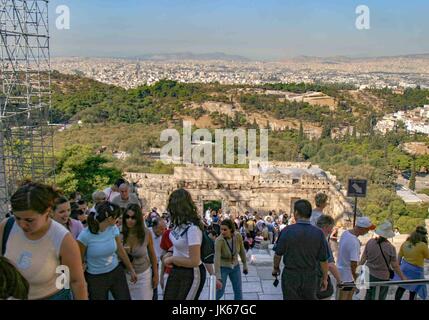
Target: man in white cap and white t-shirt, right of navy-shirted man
column 349, row 255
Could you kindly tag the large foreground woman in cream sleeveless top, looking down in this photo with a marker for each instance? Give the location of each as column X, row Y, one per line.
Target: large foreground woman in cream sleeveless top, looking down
column 38, row 245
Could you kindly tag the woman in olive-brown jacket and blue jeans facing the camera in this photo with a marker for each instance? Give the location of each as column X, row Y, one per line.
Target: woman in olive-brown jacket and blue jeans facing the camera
column 228, row 246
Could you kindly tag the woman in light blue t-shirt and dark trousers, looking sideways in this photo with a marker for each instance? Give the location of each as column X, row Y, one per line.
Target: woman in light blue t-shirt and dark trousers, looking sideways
column 100, row 245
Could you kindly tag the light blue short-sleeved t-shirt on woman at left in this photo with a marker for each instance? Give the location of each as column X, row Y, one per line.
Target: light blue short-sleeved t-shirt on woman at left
column 101, row 249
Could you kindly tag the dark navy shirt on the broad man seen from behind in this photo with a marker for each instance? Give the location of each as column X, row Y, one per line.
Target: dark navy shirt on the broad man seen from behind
column 303, row 247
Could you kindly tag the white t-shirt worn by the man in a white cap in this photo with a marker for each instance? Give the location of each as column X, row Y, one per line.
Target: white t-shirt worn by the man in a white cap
column 349, row 250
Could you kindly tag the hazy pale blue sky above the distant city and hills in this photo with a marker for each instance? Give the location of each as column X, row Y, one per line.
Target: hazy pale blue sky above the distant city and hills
column 257, row 29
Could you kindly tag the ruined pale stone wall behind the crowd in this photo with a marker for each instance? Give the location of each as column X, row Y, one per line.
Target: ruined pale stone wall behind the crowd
column 242, row 189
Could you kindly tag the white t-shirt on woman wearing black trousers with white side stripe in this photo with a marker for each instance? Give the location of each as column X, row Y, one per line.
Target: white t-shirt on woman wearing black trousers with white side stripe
column 182, row 241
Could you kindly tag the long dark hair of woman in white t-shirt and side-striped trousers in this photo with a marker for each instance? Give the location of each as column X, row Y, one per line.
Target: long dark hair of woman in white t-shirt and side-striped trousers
column 182, row 209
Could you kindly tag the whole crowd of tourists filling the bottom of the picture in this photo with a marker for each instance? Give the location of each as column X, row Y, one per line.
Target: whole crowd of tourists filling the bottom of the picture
column 112, row 249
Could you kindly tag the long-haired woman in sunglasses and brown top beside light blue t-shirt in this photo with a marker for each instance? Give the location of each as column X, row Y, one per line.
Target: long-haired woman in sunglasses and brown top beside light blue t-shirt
column 138, row 243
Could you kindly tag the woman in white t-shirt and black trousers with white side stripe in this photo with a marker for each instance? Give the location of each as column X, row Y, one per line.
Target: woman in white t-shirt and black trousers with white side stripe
column 187, row 278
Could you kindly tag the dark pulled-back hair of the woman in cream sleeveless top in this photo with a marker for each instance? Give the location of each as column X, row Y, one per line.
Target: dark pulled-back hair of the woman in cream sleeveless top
column 34, row 196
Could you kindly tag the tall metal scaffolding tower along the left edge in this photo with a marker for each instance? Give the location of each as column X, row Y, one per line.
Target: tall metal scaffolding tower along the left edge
column 26, row 140
